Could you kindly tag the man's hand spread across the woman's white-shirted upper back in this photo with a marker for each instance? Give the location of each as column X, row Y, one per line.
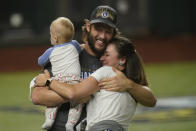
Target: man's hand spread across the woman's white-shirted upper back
column 118, row 83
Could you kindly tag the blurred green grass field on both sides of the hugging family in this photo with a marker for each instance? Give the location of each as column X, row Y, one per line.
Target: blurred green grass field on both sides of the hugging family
column 19, row 114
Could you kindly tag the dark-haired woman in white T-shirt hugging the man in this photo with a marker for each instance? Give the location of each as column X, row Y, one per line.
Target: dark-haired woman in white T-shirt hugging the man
column 107, row 109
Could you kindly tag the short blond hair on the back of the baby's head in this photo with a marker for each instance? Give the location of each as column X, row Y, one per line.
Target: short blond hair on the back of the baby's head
column 64, row 28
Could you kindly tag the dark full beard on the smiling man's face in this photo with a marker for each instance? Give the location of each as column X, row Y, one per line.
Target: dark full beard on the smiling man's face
column 91, row 42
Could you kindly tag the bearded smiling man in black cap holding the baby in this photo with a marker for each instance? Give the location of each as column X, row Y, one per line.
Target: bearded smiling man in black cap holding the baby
column 98, row 31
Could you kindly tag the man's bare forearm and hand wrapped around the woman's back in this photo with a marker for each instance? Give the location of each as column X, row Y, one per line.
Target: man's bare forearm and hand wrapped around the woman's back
column 120, row 82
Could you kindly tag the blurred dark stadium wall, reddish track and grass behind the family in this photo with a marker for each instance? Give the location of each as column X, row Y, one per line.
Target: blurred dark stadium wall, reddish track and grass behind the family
column 163, row 31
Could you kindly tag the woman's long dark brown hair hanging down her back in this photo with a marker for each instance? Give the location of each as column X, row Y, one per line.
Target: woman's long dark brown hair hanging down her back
column 134, row 66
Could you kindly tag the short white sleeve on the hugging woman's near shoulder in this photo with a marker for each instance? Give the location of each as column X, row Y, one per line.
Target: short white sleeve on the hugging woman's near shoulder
column 103, row 72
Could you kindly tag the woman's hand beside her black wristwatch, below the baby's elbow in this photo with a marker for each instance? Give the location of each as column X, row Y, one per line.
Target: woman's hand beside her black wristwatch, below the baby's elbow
column 41, row 79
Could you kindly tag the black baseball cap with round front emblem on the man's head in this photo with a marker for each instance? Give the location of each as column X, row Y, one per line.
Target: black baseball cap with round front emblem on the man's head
column 104, row 14
